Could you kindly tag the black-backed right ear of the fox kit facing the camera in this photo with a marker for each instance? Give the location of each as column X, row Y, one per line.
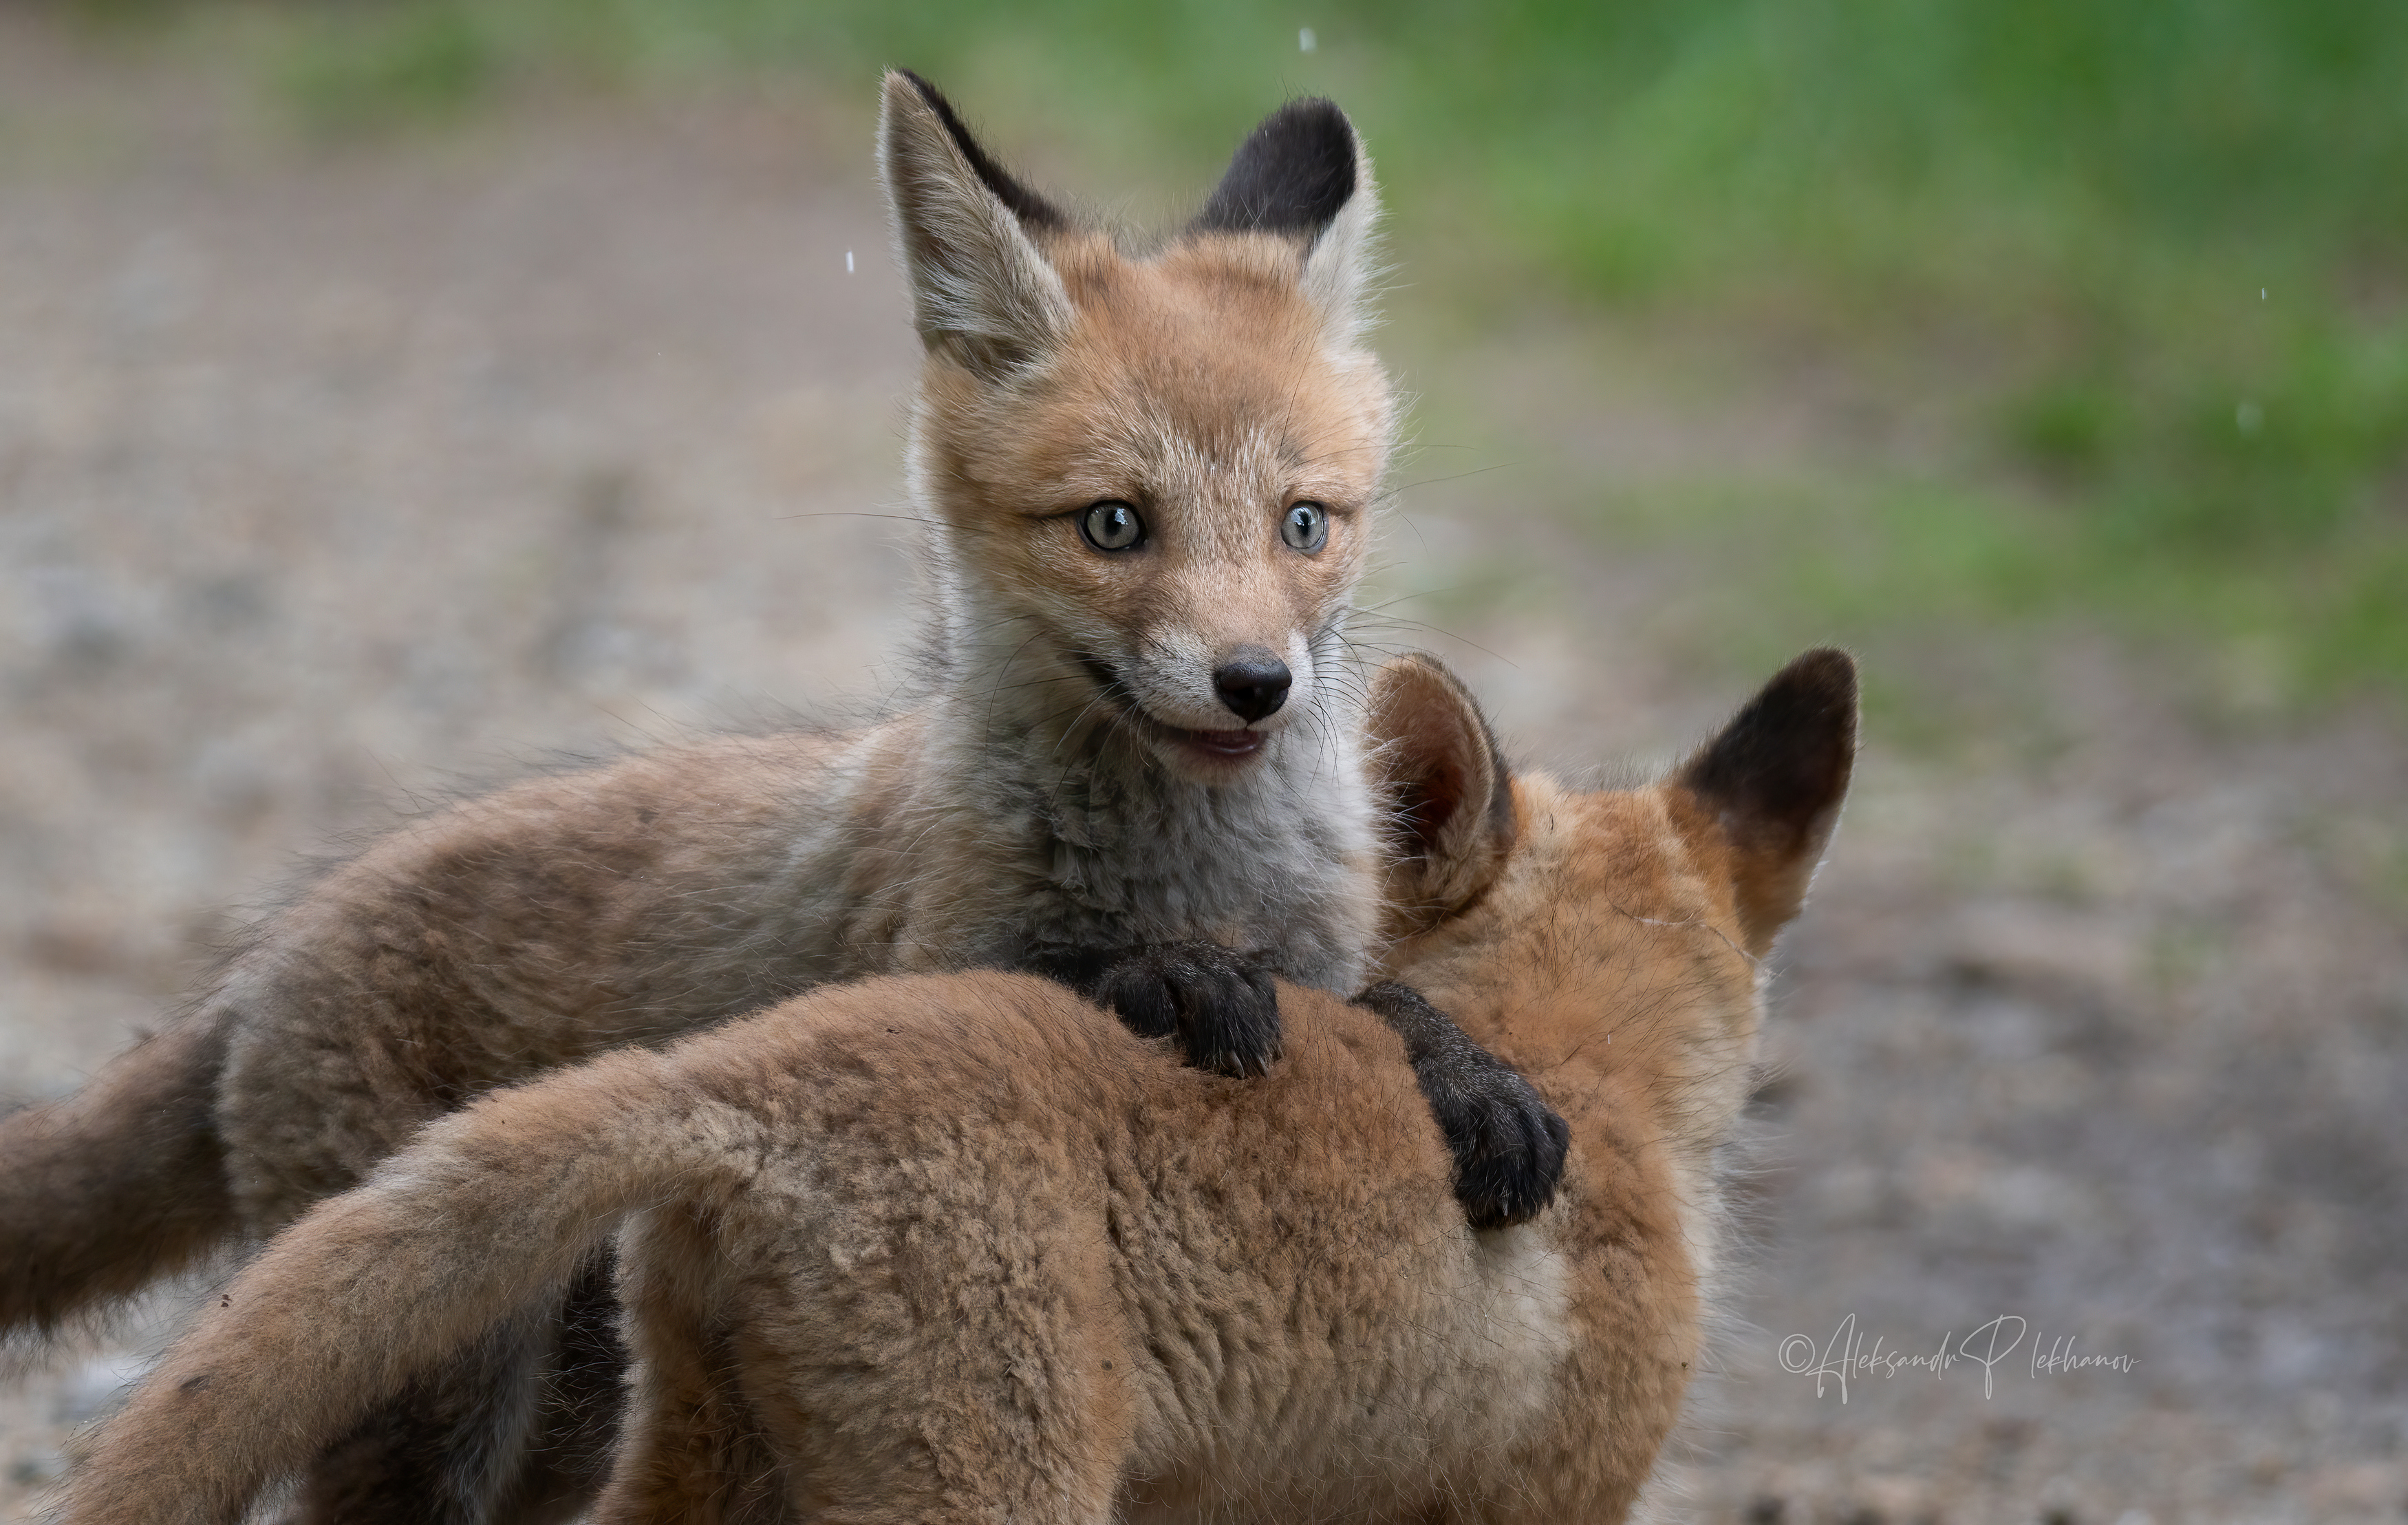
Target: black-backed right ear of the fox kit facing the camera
column 1304, row 175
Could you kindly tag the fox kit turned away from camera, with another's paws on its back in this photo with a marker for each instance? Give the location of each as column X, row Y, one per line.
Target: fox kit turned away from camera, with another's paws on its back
column 883, row 1268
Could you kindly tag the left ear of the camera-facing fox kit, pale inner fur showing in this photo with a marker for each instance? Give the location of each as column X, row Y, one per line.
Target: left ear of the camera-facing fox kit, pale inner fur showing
column 979, row 285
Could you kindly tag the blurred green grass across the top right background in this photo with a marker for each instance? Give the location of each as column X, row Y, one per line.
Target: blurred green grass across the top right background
column 2156, row 249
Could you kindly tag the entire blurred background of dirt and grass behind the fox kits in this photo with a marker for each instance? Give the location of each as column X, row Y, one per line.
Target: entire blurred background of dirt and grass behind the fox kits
column 396, row 394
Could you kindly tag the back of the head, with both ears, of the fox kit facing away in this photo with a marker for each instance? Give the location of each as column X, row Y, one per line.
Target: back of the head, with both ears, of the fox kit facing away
column 1530, row 907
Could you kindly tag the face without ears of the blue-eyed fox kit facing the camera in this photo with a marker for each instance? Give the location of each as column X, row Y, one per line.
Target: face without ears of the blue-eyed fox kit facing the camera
column 1174, row 510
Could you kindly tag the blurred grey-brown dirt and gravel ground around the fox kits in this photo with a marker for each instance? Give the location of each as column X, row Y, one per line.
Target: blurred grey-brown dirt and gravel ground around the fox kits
column 334, row 481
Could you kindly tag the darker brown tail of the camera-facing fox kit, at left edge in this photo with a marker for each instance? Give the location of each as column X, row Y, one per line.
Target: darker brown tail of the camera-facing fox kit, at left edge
column 114, row 1187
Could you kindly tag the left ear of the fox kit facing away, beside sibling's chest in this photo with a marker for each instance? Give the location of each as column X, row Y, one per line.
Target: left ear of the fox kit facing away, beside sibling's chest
column 1446, row 787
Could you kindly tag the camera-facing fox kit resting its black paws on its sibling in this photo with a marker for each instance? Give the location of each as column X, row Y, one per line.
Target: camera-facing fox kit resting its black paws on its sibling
column 1150, row 490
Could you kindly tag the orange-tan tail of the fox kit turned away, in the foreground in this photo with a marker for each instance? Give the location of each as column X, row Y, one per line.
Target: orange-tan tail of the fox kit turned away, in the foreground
column 485, row 1215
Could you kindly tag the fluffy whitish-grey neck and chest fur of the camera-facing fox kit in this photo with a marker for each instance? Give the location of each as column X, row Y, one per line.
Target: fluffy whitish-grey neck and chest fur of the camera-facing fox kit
column 1046, row 818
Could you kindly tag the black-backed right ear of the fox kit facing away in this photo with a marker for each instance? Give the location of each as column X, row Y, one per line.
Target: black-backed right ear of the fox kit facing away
column 1773, row 784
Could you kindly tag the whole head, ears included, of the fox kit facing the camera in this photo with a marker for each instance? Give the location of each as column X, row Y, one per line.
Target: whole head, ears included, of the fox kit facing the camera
column 1152, row 476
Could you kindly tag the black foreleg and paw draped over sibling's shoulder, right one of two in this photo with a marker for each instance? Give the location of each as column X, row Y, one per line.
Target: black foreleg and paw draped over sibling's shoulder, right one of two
column 1509, row 1143
